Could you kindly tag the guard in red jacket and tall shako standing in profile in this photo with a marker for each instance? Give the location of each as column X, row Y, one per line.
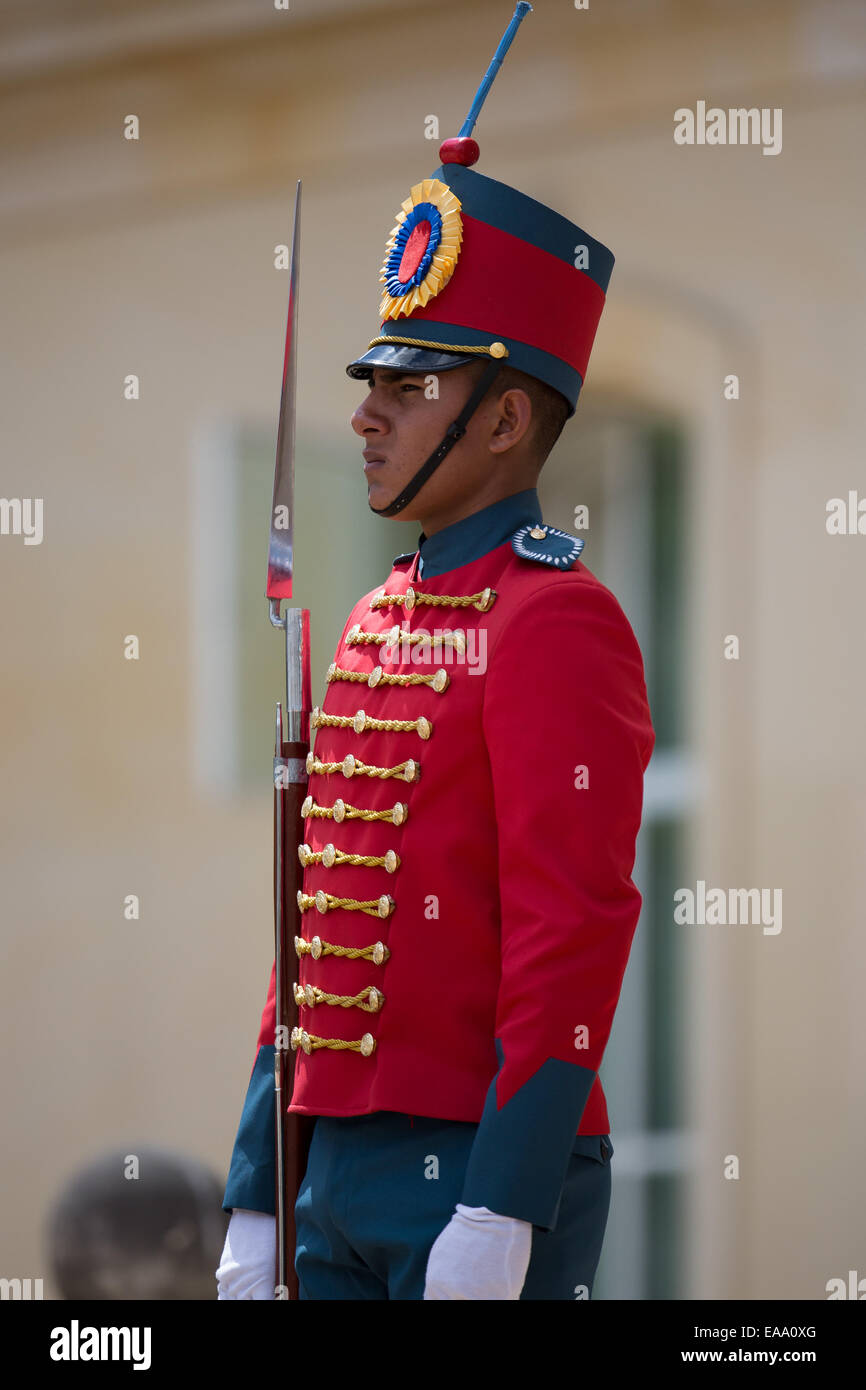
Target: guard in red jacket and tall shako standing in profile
column 475, row 797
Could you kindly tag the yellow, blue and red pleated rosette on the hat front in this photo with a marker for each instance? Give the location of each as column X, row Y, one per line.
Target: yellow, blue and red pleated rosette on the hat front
column 423, row 248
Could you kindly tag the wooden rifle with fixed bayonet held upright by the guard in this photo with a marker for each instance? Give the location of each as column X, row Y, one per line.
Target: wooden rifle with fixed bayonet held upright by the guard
column 291, row 749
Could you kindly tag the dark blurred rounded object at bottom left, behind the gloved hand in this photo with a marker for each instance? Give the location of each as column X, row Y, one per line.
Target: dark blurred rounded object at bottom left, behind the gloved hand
column 158, row 1235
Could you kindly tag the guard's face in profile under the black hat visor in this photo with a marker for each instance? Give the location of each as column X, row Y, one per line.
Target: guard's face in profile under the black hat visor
column 402, row 422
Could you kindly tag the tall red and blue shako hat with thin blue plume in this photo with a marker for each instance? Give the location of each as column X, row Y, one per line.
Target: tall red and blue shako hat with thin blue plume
column 476, row 269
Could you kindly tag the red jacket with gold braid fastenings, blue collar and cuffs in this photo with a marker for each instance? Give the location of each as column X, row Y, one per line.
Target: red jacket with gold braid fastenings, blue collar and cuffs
column 487, row 790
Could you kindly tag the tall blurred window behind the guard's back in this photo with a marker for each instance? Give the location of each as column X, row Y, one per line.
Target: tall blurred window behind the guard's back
column 629, row 469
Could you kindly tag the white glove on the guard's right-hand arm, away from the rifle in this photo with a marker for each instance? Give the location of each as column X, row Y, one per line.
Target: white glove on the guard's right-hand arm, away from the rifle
column 479, row 1256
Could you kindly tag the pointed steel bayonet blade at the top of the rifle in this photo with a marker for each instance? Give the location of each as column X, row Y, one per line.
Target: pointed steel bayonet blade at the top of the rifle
column 283, row 508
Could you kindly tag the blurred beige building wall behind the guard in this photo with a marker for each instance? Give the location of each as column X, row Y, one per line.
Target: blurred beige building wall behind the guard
column 156, row 258
